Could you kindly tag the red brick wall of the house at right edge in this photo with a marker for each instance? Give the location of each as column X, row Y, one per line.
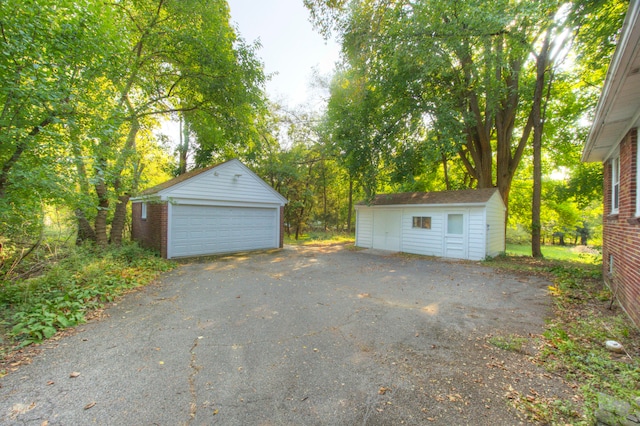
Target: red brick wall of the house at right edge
column 621, row 234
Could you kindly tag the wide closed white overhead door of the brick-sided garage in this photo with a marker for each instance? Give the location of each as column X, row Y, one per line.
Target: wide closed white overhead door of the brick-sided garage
column 201, row 230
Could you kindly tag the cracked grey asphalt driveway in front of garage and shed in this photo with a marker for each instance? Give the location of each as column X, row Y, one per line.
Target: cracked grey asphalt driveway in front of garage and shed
column 304, row 335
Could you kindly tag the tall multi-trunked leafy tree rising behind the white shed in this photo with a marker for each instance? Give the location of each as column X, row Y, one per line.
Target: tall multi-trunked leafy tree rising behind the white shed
column 466, row 64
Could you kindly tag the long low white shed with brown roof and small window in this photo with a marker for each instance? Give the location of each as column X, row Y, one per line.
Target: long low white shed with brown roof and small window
column 467, row 224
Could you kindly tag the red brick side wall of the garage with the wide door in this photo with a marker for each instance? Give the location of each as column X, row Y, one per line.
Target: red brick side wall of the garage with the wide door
column 152, row 231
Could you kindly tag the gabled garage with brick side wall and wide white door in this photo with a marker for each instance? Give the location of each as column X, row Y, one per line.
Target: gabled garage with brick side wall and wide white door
column 219, row 209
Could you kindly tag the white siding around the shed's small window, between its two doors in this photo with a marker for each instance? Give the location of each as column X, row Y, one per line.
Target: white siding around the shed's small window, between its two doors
column 427, row 242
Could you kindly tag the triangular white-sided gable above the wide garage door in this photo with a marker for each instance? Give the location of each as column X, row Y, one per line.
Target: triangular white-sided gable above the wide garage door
column 230, row 182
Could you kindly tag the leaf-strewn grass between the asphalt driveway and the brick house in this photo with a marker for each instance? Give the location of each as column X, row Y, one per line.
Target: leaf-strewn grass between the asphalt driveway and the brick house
column 572, row 344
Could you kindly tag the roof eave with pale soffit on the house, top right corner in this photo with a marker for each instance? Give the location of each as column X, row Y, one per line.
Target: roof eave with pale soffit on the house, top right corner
column 618, row 109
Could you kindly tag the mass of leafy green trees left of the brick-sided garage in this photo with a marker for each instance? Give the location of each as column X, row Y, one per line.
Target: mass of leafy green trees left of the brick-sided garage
column 88, row 81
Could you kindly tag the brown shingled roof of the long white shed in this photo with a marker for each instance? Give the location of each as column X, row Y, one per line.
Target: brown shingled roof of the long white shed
column 465, row 196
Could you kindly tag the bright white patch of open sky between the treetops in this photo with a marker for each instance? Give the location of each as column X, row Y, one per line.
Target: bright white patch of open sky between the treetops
column 291, row 48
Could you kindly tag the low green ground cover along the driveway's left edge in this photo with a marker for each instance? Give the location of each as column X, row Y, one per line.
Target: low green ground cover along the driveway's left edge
column 77, row 283
